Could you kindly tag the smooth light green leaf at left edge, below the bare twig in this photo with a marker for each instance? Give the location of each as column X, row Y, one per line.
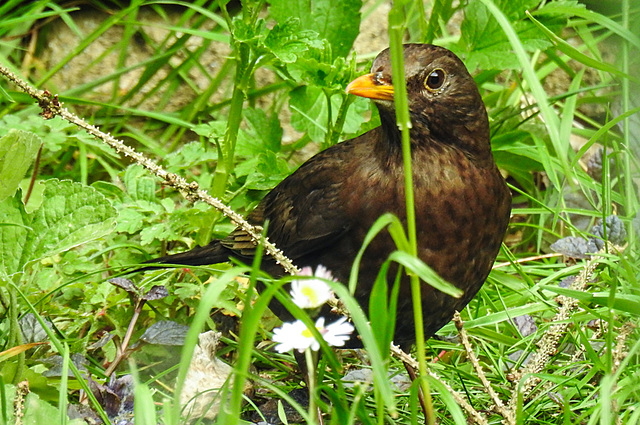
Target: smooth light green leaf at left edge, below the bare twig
column 18, row 149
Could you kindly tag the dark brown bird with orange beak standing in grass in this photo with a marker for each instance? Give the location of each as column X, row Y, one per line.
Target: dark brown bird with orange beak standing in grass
column 321, row 213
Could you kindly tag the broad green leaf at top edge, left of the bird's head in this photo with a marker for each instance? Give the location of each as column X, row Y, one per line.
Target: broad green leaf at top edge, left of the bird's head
column 337, row 21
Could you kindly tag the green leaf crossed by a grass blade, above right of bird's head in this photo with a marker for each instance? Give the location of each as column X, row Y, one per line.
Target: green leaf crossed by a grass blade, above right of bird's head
column 483, row 43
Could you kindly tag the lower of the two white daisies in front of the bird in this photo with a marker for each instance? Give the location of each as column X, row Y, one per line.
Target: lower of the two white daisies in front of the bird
column 295, row 335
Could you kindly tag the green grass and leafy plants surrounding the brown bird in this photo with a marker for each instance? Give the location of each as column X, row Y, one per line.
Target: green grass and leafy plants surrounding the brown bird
column 225, row 132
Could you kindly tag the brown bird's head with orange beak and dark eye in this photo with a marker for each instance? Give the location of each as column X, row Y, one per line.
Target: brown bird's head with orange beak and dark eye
column 444, row 102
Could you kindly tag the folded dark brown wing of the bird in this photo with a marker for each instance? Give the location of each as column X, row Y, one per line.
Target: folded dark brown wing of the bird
column 303, row 213
